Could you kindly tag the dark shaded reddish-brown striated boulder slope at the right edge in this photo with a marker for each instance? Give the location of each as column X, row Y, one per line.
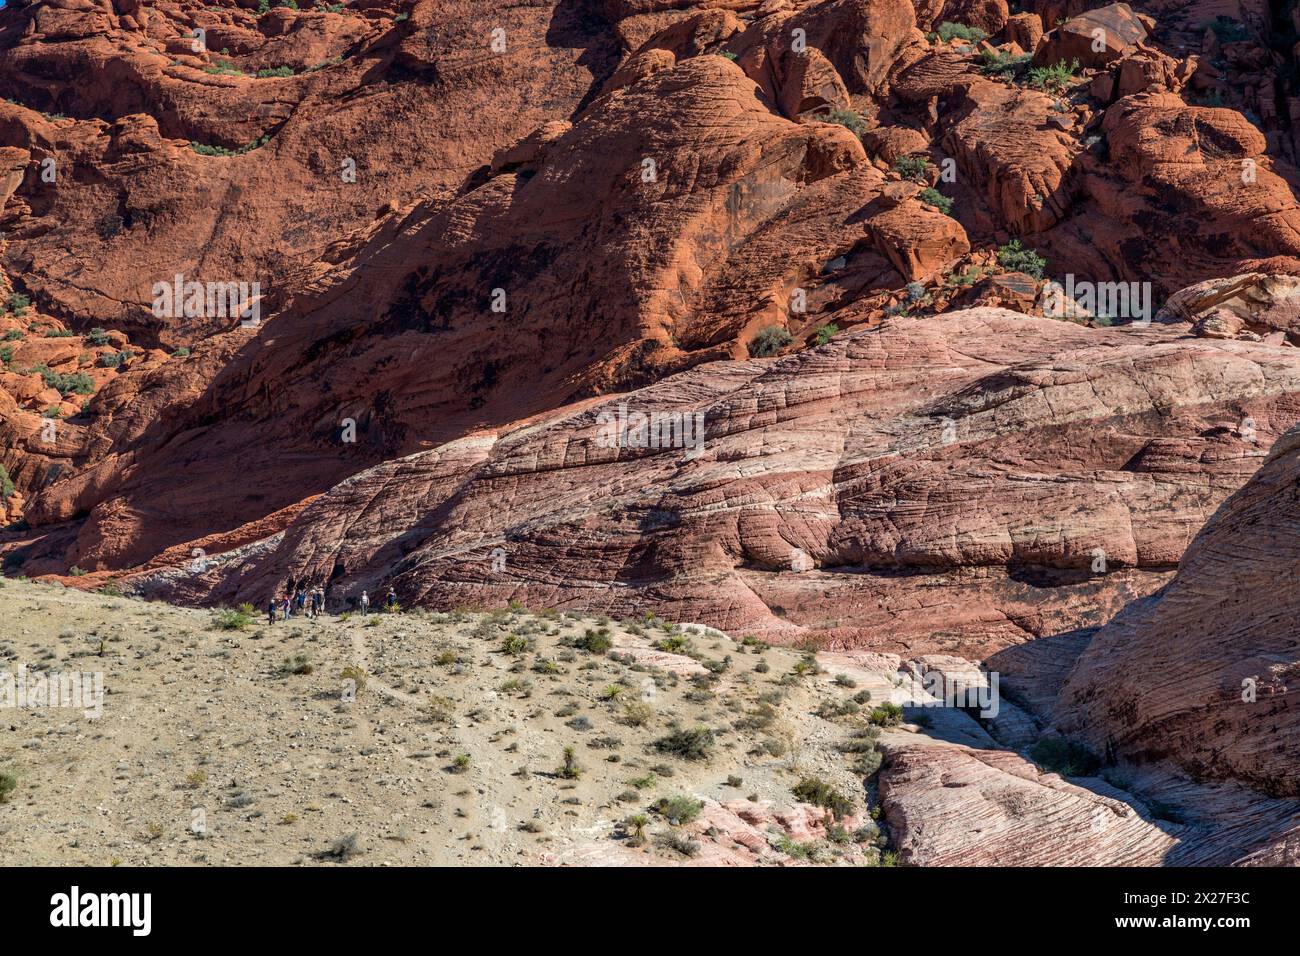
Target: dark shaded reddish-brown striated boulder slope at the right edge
column 1201, row 673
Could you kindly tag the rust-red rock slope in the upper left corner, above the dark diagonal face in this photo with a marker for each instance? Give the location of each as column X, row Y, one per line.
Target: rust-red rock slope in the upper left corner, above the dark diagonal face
column 417, row 105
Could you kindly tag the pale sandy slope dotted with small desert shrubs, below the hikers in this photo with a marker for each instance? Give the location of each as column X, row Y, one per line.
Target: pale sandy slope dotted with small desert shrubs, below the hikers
column 201, row 725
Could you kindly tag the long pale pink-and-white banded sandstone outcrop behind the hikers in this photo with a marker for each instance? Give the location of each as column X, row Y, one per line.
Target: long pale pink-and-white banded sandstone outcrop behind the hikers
column 961, row 483
